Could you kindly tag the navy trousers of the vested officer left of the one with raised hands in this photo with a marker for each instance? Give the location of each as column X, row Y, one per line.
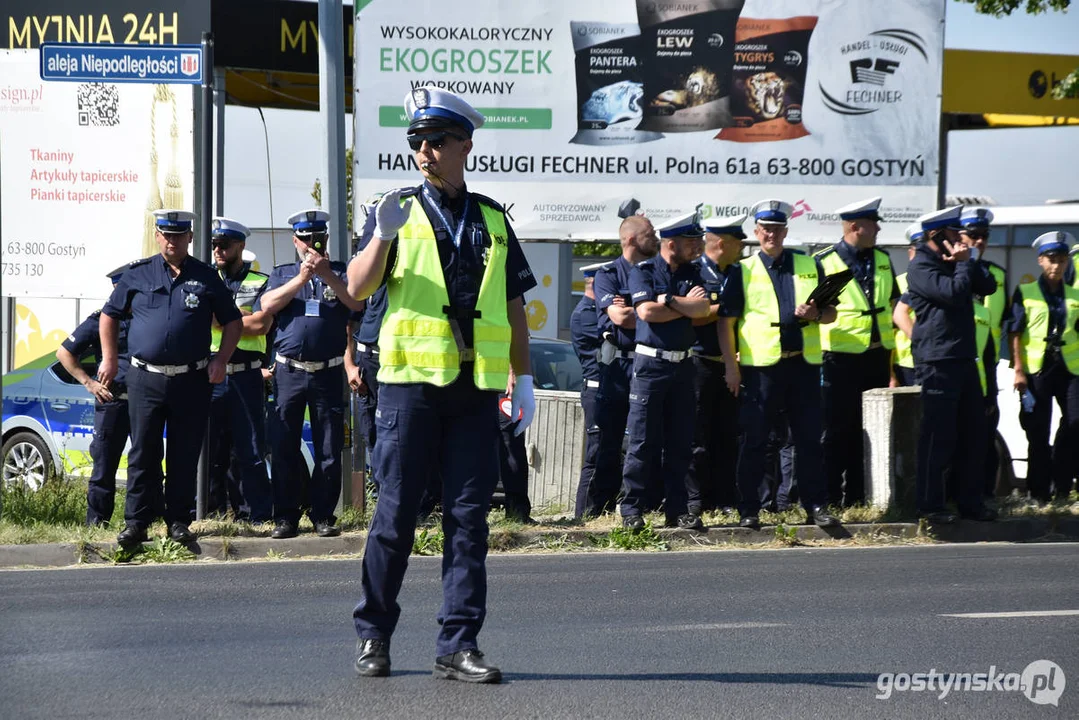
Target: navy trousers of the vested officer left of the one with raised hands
column 239, row 479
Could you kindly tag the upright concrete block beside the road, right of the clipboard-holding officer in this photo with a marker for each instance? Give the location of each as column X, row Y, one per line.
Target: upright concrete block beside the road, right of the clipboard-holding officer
column 891, row 422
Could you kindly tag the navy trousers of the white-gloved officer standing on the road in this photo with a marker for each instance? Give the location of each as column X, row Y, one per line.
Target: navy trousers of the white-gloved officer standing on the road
column 424, row 430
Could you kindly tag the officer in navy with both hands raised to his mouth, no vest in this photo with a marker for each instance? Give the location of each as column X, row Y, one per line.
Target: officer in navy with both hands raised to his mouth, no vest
column 311, row 303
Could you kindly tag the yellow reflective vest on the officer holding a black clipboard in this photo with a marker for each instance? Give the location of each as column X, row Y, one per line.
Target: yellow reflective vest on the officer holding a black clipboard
column 759, row 337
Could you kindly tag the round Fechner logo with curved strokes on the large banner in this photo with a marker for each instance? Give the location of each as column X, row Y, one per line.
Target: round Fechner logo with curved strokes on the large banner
column 878, row 59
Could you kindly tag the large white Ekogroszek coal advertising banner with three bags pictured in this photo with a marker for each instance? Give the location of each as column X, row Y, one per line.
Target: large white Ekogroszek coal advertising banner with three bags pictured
column 661, row 106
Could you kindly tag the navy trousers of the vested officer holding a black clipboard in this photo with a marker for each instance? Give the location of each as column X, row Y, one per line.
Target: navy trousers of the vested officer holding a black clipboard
column 793, row 385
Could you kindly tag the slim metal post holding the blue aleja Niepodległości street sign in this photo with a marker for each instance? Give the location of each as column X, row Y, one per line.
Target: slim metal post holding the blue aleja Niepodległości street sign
column 206, row 214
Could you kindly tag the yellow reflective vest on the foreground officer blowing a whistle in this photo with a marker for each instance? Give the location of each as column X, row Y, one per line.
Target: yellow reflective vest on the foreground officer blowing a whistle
column 417, row 339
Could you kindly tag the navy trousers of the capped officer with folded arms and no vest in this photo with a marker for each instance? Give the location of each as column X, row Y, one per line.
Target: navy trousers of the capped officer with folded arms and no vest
column 661, row 426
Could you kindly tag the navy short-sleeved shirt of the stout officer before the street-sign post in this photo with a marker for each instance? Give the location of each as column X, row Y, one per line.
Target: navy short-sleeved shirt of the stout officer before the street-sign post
column 171, row 317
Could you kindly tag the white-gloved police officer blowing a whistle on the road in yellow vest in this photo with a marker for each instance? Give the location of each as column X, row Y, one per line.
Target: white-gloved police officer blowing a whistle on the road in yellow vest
column 454, row 336
